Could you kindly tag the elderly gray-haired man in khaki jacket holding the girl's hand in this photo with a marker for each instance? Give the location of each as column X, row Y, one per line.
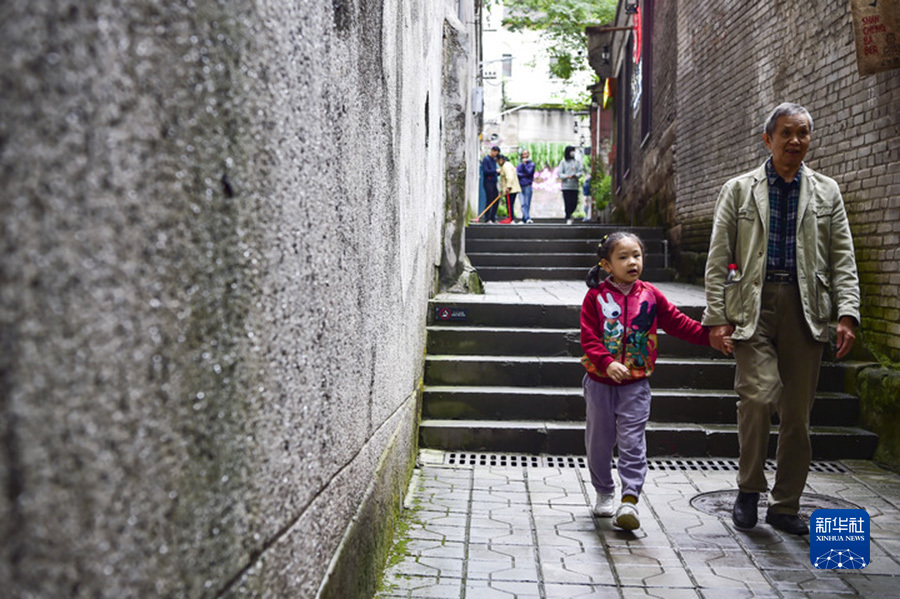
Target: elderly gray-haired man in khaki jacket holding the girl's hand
column 780, row 261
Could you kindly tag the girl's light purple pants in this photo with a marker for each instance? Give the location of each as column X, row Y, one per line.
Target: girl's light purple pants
column 617, row 415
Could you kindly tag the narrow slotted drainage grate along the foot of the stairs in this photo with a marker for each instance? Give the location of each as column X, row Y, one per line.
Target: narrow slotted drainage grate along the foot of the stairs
column 513, row 460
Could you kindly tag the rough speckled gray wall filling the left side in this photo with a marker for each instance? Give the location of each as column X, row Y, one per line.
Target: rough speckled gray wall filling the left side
column 220, row 228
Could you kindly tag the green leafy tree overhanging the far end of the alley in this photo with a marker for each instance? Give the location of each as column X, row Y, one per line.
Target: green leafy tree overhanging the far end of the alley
column 562, row 23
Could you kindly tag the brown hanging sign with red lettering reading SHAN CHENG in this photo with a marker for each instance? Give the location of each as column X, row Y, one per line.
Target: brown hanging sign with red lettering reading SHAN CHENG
column 876, row 27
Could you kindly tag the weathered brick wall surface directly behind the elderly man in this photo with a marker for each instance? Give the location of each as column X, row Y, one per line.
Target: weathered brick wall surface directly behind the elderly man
column 737, row 61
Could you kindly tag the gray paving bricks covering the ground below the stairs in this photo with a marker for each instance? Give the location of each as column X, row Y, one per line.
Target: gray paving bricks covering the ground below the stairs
column 525, row 531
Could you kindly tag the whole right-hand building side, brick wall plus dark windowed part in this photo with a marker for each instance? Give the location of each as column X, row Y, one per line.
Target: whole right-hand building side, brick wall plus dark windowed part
column 716, row 70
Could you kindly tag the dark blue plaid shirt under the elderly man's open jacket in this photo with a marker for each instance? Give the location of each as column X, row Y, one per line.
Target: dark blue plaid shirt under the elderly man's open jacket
column 783, row 200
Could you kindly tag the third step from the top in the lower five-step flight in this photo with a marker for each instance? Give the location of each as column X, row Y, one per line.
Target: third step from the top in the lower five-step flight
column 531, row 371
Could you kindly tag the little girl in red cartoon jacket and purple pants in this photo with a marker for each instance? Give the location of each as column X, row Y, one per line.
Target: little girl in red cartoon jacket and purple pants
column 619, row 318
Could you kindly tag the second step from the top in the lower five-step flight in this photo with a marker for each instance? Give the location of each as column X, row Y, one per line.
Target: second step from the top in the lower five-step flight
column 500, row 341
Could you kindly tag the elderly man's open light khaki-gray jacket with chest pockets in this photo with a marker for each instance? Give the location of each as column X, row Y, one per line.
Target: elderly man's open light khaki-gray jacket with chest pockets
column 826, row 262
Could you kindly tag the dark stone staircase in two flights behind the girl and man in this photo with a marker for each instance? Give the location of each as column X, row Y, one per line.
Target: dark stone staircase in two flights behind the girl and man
column 504, row 375
